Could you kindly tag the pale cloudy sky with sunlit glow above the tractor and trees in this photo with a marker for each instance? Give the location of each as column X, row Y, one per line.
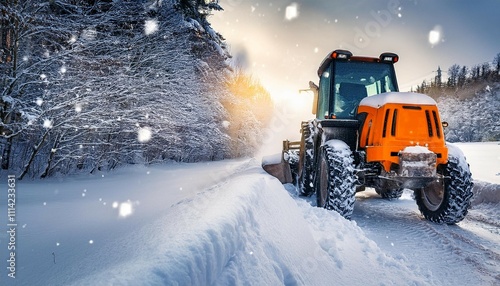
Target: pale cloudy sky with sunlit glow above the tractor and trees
column 282, row 43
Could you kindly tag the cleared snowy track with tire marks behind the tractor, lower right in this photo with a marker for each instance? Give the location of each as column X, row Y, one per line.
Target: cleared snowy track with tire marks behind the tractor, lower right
column 452, row 254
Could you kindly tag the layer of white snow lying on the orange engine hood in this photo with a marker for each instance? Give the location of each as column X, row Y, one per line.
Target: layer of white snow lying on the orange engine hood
column 379, row 100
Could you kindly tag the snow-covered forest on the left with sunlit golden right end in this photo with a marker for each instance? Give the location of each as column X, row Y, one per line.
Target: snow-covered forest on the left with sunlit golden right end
column 92, row 85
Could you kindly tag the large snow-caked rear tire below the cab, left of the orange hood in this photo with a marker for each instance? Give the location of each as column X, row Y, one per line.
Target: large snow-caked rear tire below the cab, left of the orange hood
column 335, row 182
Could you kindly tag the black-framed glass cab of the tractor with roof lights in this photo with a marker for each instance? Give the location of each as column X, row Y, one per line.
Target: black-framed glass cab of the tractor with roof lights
column 346, row 79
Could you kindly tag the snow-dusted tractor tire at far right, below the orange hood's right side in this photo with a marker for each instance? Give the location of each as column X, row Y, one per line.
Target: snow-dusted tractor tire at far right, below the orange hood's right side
column 447, row 201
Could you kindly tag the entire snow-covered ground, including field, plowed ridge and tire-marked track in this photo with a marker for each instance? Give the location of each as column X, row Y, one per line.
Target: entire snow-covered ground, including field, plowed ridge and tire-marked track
column 230, row 223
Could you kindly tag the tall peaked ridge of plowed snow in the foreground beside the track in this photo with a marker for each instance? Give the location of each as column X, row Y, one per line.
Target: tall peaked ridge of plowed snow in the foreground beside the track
column 249, row 231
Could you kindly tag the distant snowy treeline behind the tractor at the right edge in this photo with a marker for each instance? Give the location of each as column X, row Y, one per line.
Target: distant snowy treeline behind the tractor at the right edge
column 469, row 100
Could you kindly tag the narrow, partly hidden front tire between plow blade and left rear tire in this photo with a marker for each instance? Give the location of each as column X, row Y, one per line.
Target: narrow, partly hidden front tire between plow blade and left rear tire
column 306, row 161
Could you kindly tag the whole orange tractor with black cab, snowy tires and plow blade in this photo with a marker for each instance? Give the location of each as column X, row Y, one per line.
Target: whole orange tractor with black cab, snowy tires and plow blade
column 367, row 134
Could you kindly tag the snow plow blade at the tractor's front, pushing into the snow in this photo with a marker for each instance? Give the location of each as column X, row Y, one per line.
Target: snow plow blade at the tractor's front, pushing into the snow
column 277, row 166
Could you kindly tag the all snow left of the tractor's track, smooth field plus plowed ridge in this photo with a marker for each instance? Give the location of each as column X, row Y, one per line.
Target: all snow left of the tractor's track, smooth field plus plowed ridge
column 245, row 230
